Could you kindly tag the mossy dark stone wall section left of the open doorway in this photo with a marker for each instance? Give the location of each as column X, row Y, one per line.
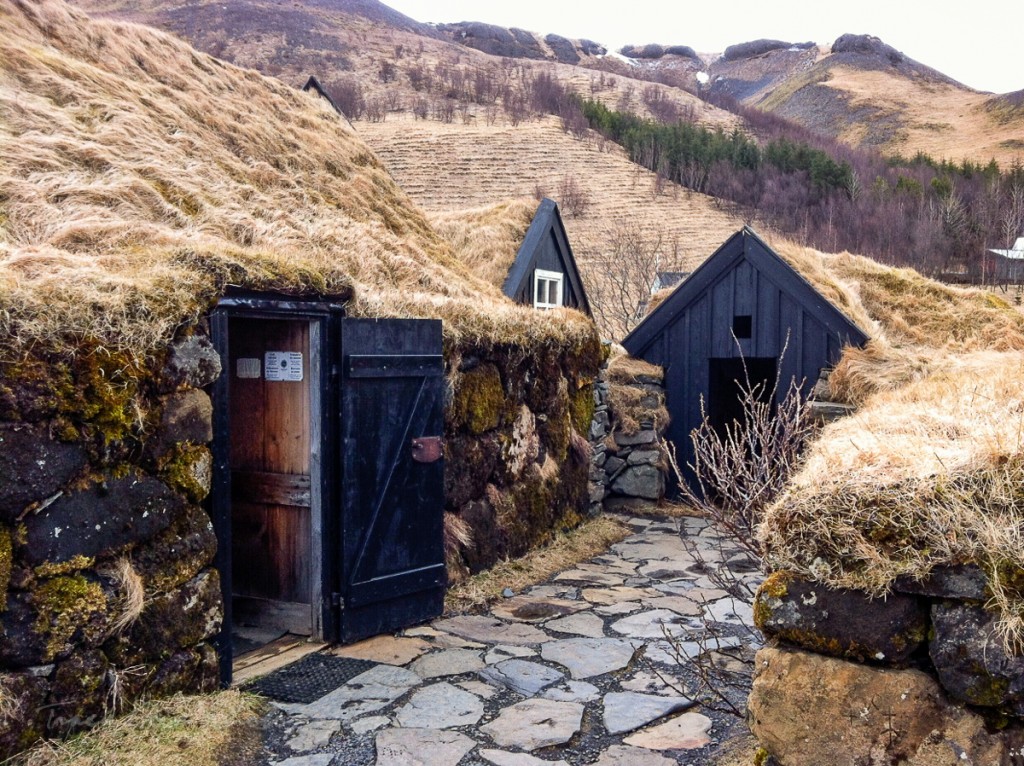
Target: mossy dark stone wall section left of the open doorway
column 106, row 584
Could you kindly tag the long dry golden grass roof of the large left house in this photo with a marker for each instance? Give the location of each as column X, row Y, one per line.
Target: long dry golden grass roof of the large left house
column 140, row 178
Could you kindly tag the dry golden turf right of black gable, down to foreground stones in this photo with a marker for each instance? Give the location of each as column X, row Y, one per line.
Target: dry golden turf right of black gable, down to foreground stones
column 930, row 471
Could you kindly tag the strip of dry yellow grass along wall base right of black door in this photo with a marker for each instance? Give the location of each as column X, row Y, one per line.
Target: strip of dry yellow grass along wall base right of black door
column 588, row 540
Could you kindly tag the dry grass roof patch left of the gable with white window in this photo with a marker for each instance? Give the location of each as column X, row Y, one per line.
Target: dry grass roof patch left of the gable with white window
column 488, row 239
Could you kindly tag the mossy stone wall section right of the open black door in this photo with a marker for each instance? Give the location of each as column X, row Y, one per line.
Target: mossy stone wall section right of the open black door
column 517, row 453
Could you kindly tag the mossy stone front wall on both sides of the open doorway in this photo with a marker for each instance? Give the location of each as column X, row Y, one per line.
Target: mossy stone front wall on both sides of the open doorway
column 107, row 589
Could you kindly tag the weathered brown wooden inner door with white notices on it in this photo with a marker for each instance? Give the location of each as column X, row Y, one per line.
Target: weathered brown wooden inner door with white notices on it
column 271, row 473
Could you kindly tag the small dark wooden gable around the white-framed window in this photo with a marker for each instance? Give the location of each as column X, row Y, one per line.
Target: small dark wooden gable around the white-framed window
column 546, row 246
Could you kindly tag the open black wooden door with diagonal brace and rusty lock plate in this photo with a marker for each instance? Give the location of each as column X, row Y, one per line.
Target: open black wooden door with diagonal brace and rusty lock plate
column 393, row 559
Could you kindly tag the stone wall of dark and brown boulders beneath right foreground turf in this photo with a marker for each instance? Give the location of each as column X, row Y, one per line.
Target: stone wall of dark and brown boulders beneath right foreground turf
column 921, row 677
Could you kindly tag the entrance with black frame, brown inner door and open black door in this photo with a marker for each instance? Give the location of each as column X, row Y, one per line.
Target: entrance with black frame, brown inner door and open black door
column 328, row 490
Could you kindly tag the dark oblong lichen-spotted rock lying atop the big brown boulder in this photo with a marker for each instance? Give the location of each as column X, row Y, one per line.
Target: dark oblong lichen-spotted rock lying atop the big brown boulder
column 841, row 623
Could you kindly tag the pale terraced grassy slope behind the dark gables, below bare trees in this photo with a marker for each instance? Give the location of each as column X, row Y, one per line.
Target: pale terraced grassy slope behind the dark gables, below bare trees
column 446, row 167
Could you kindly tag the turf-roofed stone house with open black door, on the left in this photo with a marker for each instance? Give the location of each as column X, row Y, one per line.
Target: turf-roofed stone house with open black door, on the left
column 244, row 384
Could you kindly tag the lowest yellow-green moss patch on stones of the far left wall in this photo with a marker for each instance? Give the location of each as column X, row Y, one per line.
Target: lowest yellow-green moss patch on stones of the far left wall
column 66, row 606
